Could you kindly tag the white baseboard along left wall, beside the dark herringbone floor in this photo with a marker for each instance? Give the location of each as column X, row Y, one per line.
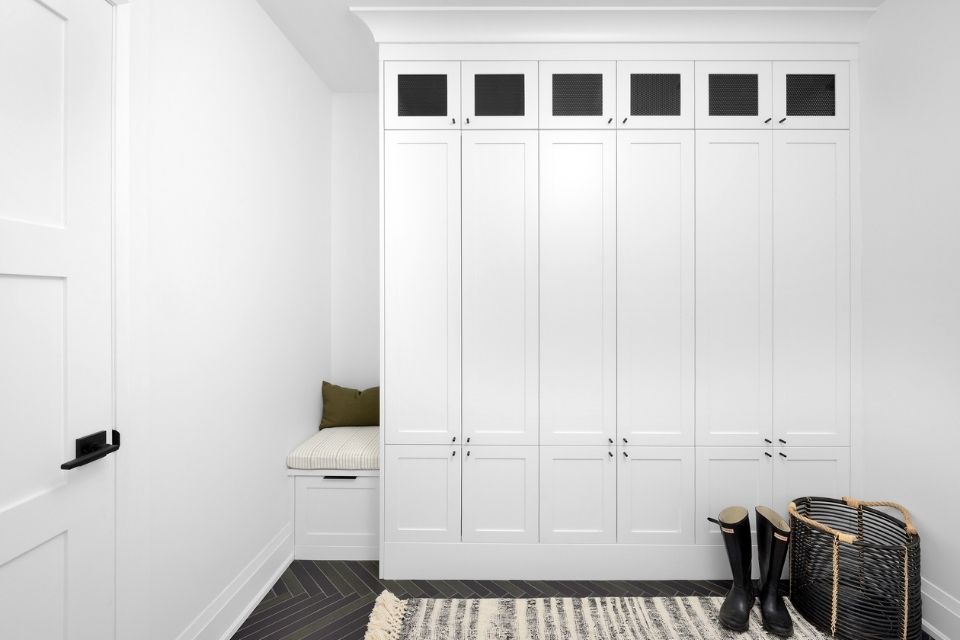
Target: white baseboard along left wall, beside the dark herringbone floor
column 222, row 617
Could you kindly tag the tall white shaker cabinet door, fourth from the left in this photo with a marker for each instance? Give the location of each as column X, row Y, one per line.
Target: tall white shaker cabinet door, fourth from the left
column 655, row 287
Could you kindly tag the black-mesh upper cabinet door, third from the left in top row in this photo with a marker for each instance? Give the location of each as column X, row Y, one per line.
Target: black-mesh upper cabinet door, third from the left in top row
column 577, row 95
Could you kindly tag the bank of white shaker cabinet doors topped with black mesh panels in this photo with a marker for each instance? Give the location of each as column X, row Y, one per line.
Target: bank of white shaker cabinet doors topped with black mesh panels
column 617, row 297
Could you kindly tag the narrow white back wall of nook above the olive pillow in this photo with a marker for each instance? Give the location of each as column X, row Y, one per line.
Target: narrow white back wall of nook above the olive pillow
column 355, row 252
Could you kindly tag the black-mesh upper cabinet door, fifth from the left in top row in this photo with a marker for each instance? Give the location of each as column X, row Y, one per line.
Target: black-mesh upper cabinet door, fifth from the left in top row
column 734, row 95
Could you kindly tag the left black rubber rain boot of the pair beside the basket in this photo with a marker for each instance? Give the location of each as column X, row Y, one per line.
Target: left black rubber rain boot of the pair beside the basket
column 735, row 527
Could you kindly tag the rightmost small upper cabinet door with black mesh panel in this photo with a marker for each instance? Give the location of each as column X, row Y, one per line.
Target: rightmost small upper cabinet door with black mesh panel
column 811, row 95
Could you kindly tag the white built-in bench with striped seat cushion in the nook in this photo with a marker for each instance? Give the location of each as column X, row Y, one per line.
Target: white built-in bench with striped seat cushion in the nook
column 336, row 477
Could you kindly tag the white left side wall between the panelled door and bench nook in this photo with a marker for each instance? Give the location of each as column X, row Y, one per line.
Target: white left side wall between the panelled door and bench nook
column 225, row 319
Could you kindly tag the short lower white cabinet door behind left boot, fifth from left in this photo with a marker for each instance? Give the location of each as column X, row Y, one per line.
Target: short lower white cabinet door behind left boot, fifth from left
column 728, row 477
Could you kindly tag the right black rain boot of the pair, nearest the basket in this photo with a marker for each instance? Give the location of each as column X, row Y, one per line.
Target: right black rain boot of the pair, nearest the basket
column 773, row 539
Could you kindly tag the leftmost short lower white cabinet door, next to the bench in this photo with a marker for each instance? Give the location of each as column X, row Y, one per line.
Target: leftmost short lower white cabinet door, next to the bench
column 422, row 493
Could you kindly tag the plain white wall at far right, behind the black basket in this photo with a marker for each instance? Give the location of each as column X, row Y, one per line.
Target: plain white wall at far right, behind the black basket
column 911, row 280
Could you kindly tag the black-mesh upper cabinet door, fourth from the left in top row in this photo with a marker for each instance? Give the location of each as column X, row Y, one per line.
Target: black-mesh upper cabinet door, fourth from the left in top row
column 655, row 95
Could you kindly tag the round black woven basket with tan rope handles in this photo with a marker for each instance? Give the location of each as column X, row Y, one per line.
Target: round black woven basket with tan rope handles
column 855, row 570
